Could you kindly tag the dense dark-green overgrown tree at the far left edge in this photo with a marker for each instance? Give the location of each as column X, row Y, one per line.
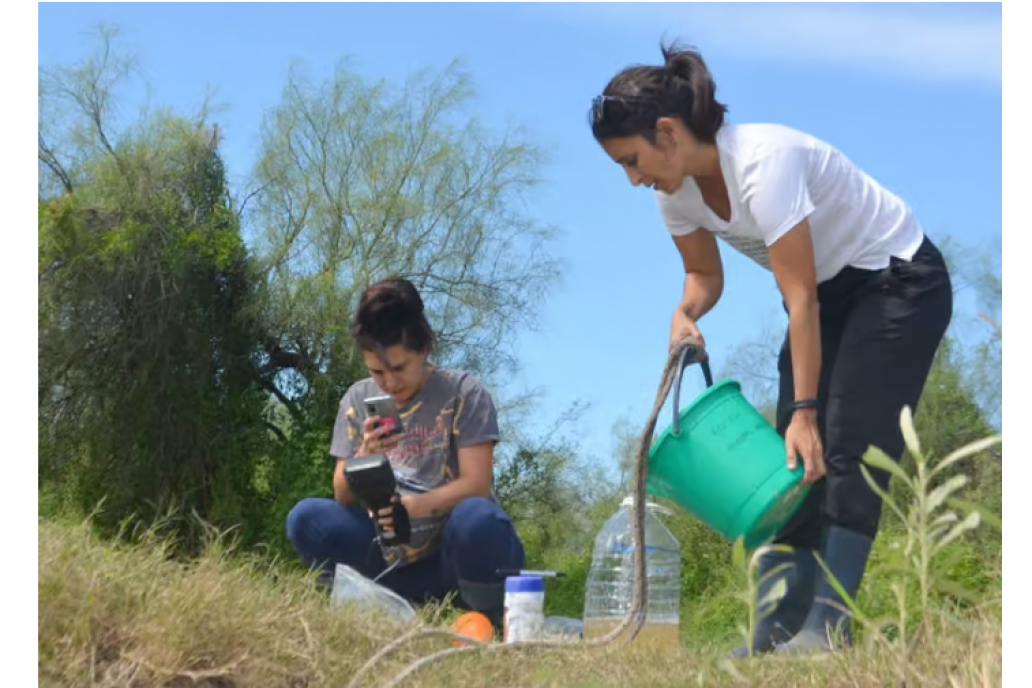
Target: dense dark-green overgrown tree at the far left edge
column 147, row 396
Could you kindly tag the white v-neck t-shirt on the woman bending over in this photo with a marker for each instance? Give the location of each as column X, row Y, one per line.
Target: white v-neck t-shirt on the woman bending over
column 777, row 177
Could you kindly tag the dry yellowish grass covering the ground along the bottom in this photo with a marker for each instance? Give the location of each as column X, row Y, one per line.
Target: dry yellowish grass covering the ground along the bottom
column 118, row 616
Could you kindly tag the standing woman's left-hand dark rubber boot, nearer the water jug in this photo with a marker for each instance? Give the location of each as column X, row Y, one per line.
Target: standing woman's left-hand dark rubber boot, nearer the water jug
column 779, row 623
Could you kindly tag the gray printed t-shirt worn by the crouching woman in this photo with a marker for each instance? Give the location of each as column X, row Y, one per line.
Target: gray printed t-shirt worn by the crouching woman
column 453, row 411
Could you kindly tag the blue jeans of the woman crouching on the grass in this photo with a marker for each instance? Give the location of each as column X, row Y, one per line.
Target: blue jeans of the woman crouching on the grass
column 478, row 540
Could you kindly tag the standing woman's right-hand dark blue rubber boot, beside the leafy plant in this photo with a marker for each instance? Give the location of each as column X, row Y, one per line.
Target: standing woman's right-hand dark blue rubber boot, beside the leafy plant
column 846, row 553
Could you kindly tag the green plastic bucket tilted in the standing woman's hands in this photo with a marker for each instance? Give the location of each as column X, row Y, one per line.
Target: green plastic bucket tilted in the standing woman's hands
column 723, row 463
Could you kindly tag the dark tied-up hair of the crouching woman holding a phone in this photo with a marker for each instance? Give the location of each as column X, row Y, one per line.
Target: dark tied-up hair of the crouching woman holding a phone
column 392, row 313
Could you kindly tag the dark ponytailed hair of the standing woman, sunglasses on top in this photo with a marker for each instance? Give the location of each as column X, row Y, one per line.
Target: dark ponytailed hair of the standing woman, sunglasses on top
column 638, row 96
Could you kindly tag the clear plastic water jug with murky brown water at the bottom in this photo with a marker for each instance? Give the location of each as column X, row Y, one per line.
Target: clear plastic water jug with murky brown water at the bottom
column 611, row 579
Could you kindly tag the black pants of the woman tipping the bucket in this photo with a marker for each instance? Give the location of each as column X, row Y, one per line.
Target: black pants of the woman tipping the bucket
column 880, row 333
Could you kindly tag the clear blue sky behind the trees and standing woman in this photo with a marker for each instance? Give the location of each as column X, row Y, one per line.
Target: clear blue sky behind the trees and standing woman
column 911, row 92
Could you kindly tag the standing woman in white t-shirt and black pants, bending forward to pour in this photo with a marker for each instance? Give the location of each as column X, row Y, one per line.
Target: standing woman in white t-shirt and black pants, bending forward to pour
column 868, row 297
